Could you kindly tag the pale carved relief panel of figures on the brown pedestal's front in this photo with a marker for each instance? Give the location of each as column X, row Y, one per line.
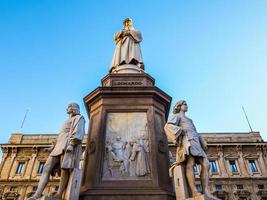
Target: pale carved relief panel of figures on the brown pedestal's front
column 127, row 147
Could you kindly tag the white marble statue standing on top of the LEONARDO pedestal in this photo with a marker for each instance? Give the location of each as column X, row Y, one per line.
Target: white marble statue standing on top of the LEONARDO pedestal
column 127, row 52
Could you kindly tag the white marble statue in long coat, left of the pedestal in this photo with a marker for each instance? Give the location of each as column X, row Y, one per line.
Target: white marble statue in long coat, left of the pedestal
column 65, row 158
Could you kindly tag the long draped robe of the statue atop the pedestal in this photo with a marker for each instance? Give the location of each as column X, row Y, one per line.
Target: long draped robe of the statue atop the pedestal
column 128, row 50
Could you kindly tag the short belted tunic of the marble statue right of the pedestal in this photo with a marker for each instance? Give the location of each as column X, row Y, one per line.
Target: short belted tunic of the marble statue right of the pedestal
column 174, row 128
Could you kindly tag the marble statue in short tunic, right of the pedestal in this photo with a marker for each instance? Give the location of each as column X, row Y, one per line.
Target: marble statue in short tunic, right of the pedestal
column 190, row 150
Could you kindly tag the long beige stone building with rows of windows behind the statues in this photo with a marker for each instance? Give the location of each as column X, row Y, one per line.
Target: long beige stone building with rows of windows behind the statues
column 238, row 165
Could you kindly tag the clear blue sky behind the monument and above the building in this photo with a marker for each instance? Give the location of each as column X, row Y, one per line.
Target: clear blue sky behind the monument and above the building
column 211, row 53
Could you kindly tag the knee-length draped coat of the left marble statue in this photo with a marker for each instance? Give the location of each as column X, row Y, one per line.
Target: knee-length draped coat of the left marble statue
column 72, row 132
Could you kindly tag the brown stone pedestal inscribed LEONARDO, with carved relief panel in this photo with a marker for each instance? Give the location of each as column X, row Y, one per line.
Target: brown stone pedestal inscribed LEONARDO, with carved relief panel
column 128, row 112
